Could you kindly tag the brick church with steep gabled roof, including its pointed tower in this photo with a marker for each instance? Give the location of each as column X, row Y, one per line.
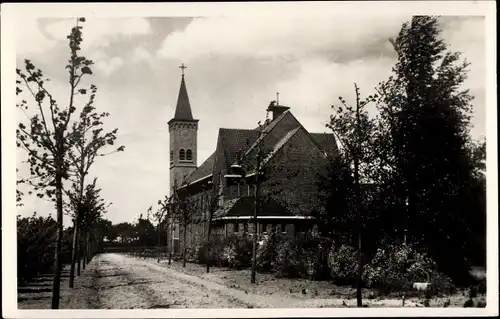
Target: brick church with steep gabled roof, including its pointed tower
column 280, row 158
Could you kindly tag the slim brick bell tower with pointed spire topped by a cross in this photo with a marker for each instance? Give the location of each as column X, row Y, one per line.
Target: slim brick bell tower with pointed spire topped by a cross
column 183, row 138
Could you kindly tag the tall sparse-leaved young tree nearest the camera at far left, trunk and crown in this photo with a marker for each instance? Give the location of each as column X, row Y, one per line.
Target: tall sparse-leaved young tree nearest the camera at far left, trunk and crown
column 46, row 141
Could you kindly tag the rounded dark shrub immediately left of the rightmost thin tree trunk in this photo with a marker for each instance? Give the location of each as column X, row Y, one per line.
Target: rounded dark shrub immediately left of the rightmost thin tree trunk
column 343, row 264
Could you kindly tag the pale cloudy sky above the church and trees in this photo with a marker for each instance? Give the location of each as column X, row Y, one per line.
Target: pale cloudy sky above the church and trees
column 235, row 66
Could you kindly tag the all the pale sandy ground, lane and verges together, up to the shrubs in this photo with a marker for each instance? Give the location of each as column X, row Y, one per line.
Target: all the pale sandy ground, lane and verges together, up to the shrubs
column 117, row 281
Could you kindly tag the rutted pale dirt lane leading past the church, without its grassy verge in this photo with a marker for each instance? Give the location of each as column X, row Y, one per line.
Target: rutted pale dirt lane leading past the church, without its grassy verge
column 122, row 282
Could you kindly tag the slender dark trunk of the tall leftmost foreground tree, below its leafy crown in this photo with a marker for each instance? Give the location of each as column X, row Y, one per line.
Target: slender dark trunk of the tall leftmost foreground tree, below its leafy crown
column 56, row 284
